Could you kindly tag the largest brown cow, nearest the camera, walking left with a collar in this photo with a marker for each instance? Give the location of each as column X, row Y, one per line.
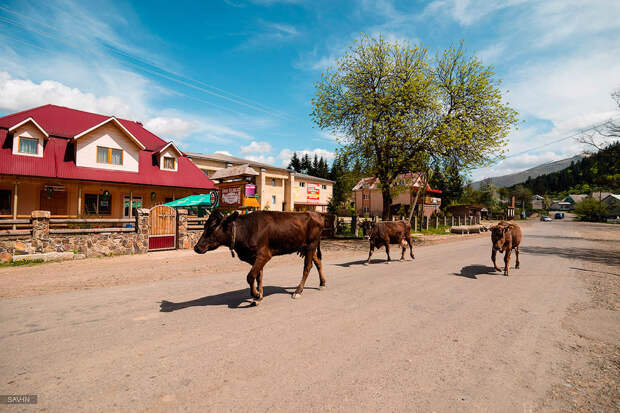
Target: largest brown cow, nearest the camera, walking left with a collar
column 258, row 236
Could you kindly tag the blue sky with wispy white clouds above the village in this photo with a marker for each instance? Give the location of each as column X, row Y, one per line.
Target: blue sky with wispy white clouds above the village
column 238, row 75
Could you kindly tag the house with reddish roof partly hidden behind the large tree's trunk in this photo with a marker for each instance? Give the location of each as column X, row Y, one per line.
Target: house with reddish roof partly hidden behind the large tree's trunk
column 368, row 198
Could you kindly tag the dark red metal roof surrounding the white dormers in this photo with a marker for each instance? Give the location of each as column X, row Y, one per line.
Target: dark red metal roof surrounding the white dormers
column 58, row 160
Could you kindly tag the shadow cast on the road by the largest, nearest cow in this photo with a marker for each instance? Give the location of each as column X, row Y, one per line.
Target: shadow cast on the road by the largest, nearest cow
column 233, row 299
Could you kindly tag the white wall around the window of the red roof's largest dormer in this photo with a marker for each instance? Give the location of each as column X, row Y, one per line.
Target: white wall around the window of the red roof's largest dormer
column 109, row 136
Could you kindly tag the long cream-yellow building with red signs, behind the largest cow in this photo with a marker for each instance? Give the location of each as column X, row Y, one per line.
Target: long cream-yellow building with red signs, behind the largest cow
column 277, row 189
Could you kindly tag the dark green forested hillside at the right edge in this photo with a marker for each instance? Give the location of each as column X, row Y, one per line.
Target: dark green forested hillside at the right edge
column 600, row 171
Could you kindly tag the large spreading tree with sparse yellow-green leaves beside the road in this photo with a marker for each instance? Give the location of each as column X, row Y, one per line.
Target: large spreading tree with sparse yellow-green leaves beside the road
column 398, row 110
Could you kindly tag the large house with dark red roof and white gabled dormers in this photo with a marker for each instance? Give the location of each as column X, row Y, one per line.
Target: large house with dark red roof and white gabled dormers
column 81, row 164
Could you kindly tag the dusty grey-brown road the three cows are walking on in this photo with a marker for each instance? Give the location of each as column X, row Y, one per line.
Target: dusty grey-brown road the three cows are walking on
column 441, row 333
